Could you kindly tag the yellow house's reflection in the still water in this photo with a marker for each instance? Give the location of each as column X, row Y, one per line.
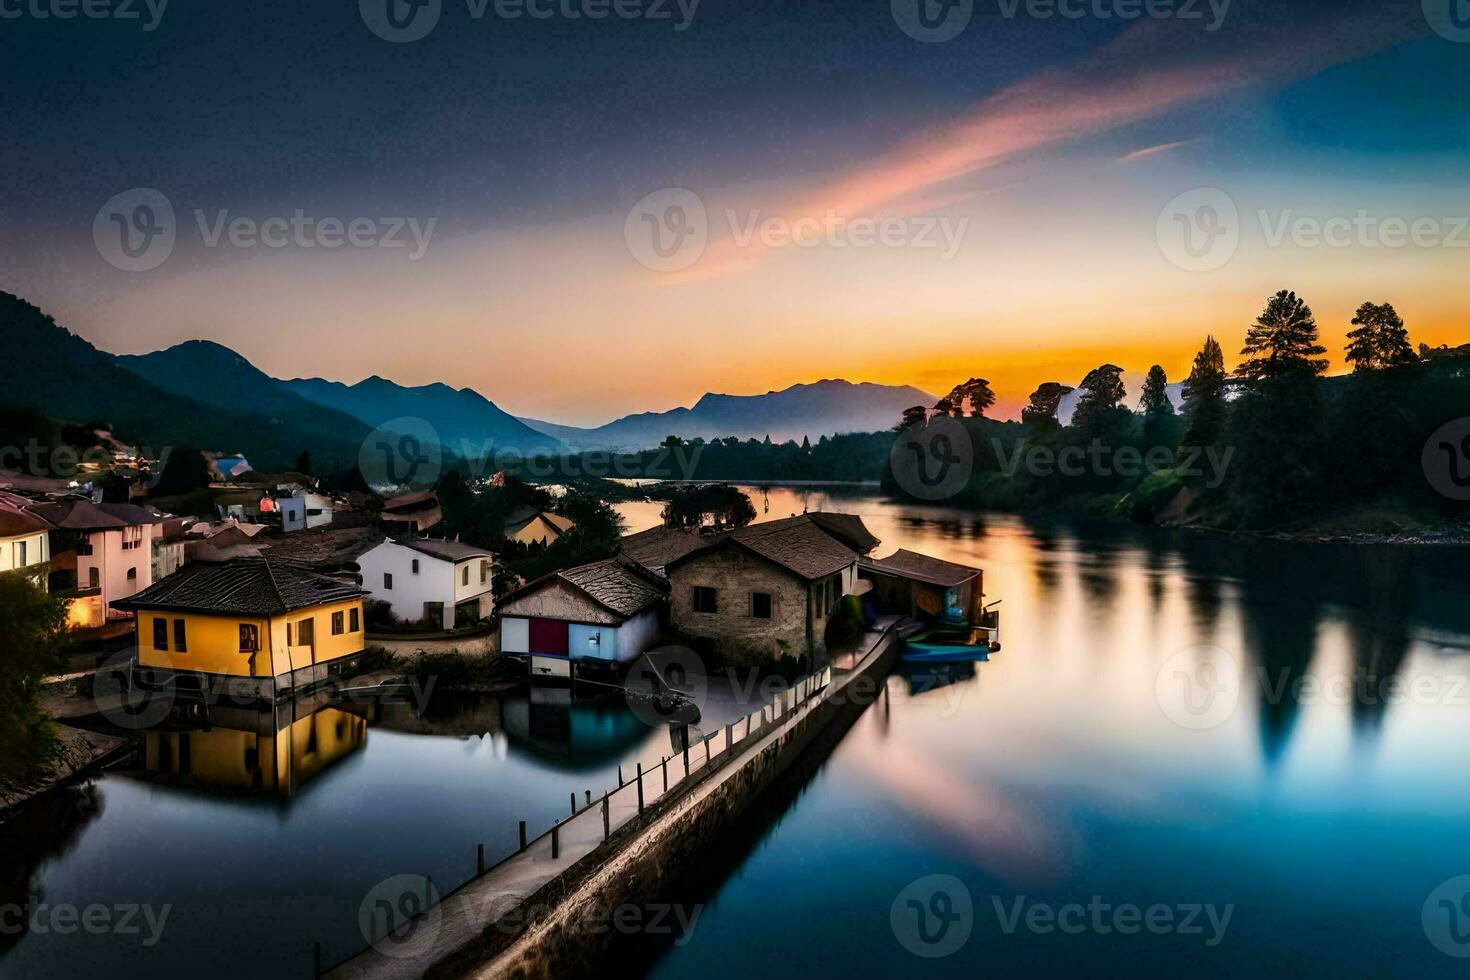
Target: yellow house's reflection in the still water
column 257, row 752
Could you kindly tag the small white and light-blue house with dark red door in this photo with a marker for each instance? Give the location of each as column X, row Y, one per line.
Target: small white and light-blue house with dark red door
column 599, row 615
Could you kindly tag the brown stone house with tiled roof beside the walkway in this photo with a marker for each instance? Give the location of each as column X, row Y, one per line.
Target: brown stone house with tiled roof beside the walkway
column 767, row 590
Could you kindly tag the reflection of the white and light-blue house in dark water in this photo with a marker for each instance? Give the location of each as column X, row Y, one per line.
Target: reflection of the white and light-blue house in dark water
column 571, row 734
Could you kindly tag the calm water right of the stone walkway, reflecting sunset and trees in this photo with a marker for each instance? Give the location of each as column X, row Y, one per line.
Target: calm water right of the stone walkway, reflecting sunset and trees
column 1053, row 775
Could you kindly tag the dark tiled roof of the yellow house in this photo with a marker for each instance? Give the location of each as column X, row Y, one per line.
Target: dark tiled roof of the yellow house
column 245, row 587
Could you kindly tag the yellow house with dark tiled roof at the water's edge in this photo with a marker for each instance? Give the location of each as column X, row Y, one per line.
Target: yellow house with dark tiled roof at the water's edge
column 252, row 628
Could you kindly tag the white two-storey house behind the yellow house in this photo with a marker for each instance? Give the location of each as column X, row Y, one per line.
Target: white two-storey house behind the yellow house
column 442, row 584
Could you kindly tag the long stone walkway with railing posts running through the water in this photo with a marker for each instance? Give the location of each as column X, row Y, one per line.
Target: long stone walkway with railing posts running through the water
column 530, row 915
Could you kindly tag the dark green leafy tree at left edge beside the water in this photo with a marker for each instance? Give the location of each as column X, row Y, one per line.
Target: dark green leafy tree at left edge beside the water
column 33, row 634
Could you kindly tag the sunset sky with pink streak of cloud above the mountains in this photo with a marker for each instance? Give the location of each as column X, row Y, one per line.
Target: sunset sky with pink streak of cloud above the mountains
column 587, row 217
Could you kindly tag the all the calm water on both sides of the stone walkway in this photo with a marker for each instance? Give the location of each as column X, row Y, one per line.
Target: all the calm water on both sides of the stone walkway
column 1052, row 775
